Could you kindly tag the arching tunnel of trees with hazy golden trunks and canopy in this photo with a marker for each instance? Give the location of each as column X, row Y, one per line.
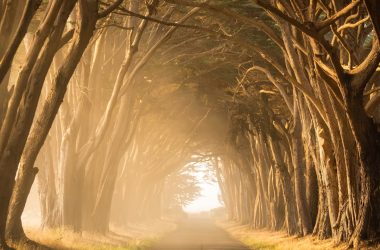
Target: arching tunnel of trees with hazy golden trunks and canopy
column 103, row 103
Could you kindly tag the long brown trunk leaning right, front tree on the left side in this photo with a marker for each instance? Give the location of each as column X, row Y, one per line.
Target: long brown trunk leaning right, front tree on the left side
column 50, row 108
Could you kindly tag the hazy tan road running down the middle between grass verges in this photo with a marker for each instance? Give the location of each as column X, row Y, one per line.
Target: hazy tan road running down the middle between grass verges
column 197, row 233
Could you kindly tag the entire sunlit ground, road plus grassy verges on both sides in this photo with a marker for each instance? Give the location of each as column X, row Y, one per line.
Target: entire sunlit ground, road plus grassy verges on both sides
column 196, row 232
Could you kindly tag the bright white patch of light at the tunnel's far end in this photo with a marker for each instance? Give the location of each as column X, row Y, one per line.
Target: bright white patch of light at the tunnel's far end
column 210, row 192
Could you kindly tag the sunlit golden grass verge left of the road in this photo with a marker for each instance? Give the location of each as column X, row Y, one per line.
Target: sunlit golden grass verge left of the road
column 135, row 237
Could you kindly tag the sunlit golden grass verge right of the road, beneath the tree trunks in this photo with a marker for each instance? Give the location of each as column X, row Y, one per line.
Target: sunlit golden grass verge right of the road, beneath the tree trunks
column 269, row 240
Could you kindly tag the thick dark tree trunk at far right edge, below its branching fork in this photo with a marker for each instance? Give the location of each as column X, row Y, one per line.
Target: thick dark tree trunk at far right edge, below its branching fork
column 368, row 146
